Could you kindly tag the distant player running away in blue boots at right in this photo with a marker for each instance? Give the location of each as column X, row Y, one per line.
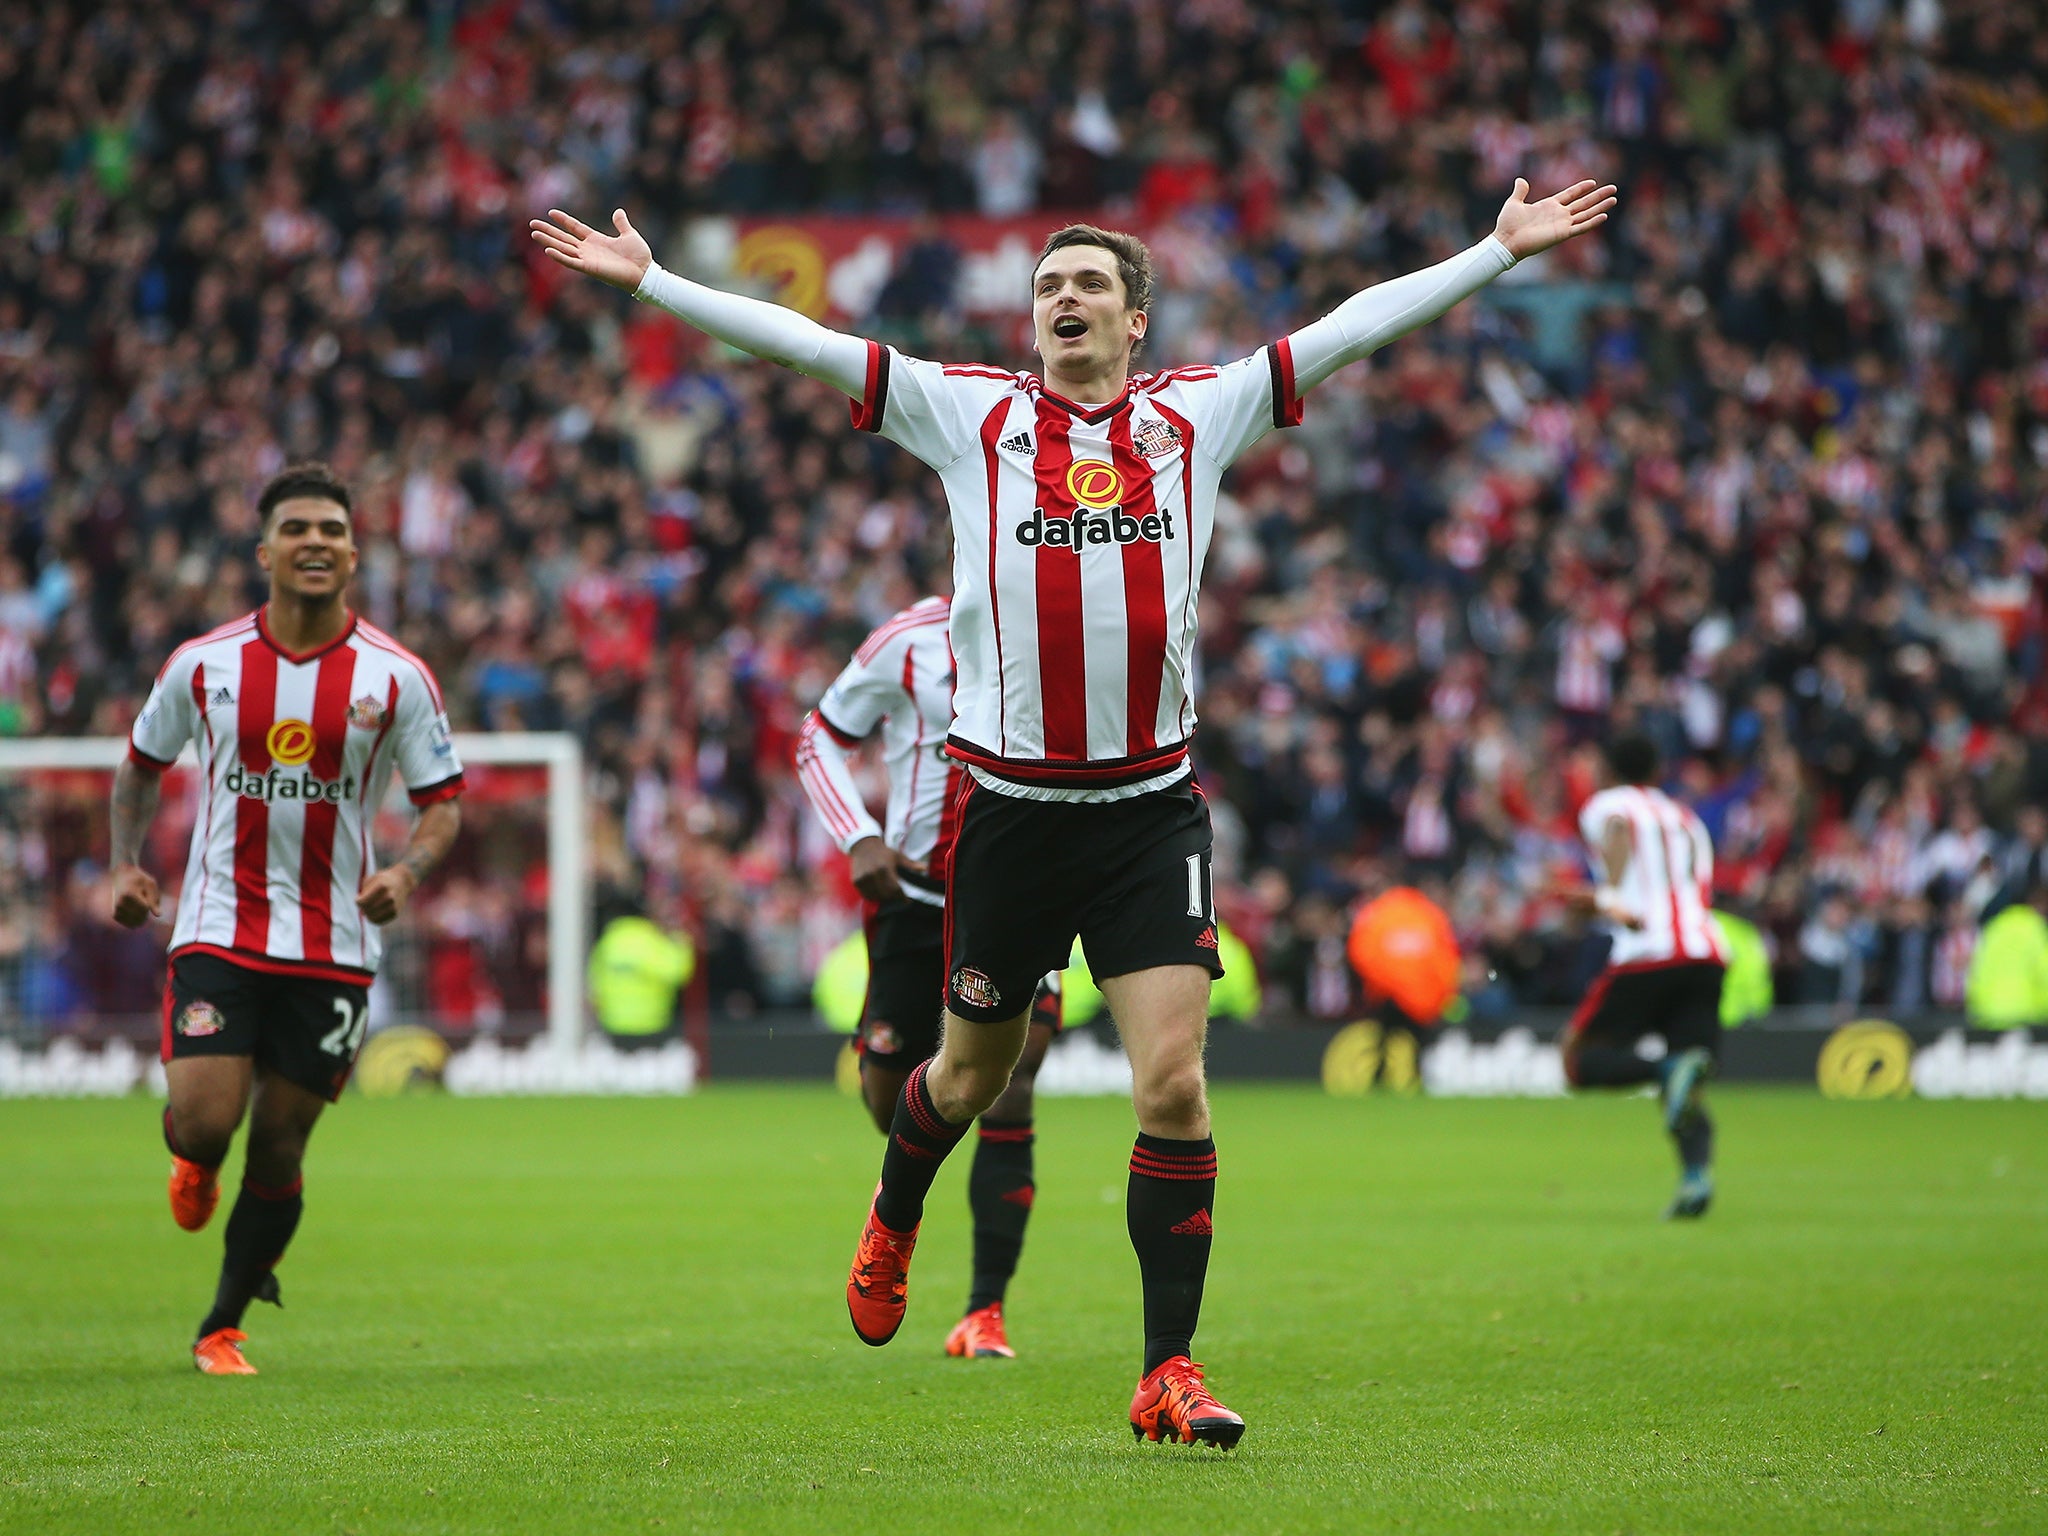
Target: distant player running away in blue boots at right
column 1664, row 976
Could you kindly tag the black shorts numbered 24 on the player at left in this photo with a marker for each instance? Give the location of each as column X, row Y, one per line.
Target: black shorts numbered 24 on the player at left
column 304, row 1029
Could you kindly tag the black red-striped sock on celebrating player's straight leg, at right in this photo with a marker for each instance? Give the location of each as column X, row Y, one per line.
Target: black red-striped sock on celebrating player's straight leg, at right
column 1168, row 1211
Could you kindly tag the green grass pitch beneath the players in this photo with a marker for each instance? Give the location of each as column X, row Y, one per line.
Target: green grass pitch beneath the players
column 1435, row 1316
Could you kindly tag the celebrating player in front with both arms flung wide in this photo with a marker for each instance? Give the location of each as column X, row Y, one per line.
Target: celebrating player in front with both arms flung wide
column 1082, row 511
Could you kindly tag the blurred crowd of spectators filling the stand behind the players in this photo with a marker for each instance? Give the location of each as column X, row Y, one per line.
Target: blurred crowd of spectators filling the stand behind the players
column 1760, row 470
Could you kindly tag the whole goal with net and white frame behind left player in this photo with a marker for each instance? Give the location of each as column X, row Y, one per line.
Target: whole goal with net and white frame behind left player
column 490, row 949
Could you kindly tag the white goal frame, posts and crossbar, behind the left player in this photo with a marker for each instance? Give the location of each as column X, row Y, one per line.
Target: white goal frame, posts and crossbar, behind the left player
column 568, row 857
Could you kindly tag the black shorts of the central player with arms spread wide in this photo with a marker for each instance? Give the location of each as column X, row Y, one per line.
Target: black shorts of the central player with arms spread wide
column 1129, row 878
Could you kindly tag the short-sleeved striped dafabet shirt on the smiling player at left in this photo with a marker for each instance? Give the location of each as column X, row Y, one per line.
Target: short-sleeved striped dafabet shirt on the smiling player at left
column 294, row 755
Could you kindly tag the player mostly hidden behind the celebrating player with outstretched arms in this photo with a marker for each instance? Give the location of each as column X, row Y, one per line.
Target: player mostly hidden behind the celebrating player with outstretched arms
column 902, row 683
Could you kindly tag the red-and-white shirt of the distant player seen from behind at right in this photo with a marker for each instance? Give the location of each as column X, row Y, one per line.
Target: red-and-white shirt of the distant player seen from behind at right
column 1668, row 882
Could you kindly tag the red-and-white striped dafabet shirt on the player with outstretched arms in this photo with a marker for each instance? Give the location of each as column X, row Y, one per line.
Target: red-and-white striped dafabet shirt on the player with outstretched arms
column 1080, row 536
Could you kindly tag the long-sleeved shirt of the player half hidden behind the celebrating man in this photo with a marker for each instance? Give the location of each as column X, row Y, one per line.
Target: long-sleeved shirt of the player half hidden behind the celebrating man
column 902, row 681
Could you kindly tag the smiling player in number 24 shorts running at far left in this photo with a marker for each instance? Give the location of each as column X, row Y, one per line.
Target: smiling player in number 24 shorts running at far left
column 300, row 714
